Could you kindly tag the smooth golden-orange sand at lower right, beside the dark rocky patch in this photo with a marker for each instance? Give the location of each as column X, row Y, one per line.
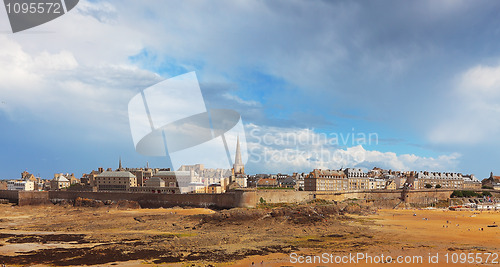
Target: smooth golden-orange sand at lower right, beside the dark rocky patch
column 419, row 235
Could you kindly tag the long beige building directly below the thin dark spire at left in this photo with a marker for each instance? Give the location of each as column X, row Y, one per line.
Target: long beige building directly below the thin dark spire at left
column 115, row 181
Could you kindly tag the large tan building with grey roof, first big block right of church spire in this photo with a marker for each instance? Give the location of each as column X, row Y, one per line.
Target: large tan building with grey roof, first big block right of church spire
column 326, row 180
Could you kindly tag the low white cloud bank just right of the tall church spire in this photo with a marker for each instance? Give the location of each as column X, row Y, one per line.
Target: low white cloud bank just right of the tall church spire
column 288, row 149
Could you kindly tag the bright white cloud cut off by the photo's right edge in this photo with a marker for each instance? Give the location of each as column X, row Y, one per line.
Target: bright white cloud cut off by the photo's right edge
column 472, row 115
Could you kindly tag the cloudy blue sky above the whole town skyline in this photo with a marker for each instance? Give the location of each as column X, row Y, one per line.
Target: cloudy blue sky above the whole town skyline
column 411, row 85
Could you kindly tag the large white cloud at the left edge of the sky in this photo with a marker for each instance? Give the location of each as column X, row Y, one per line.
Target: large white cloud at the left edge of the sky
column 56, row 88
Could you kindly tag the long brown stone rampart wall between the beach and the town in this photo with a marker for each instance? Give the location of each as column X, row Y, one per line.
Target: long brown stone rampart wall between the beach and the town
column 238, row 198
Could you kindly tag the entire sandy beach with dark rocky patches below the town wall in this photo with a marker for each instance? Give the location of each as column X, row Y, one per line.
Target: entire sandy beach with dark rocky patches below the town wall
column 145, row 235
